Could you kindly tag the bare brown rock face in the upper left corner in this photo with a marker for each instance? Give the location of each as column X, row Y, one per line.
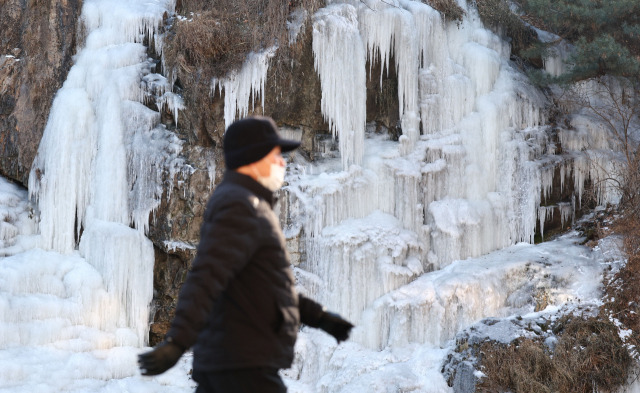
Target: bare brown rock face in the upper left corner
column 36, row 46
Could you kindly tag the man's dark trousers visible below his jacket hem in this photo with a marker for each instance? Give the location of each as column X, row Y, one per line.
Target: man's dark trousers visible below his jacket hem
column 249, row 380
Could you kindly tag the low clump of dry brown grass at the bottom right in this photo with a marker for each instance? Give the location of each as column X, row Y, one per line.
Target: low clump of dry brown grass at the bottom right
column 589, row 355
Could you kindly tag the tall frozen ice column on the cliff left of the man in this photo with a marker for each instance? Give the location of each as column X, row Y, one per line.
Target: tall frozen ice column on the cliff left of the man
column 81, row 177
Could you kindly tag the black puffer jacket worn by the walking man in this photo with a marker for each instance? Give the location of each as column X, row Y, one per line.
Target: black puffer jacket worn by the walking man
column 238, row 306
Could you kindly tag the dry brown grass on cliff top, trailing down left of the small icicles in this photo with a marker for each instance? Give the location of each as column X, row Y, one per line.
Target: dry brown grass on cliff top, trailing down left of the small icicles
column 209, row 39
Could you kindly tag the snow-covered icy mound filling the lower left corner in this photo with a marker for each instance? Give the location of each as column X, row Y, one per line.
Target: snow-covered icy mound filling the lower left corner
column 55, row 333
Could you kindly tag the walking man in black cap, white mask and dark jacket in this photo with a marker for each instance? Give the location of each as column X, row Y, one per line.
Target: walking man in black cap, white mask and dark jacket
column 238, row 307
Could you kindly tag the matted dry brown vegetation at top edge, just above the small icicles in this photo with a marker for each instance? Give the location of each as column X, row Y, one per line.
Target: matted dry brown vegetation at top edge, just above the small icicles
column 214, row 37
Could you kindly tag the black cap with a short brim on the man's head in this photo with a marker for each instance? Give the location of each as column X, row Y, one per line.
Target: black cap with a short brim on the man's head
column 250, row 139
